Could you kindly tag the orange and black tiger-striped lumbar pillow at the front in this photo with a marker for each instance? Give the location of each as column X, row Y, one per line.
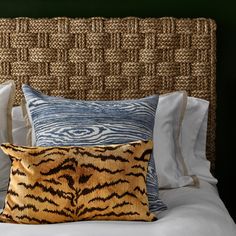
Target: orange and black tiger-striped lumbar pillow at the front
column 63, row 184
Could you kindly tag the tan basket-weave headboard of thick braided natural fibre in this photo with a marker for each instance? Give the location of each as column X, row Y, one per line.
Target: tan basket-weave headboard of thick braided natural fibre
column 99, row 58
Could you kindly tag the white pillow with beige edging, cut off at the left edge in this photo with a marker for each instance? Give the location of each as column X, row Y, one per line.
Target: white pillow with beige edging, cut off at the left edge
column 7, row 92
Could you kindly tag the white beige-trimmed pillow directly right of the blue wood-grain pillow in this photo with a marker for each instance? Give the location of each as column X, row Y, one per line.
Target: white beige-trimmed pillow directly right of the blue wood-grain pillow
column 171, row 169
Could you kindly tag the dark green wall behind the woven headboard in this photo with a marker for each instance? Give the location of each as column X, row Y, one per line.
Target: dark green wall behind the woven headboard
column 224, row 12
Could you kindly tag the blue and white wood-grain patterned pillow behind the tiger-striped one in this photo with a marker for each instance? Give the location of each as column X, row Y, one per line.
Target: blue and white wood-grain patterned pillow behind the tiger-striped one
column 64, row 122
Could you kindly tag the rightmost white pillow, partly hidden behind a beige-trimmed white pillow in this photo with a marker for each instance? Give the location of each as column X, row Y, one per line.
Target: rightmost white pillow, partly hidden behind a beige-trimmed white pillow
column 193, row 139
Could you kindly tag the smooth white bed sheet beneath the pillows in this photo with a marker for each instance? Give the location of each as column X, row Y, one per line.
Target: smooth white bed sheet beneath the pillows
column 192, row 212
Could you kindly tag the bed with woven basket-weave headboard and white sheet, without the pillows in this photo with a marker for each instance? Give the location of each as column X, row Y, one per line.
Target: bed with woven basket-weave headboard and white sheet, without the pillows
column 122, row 58
